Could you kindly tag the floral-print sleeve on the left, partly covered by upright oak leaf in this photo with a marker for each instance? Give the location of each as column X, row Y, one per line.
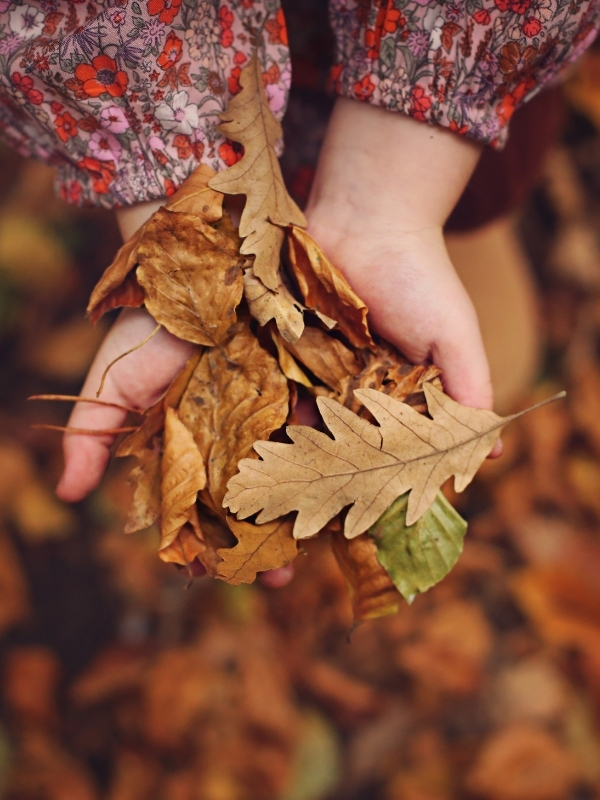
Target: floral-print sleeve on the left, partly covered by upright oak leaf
column 123, row 96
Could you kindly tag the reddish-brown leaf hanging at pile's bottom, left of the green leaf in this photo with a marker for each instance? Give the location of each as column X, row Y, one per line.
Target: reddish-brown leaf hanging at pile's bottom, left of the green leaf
column 372, row 591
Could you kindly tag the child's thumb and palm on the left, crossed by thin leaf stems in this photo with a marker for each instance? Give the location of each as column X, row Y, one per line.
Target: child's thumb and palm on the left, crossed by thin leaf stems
column 137, row 380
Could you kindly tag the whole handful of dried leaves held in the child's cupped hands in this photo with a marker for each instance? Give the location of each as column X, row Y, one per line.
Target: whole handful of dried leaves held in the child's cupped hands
column 267, row 334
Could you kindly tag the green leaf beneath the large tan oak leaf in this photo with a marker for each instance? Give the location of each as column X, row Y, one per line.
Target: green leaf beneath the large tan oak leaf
column 418, row 556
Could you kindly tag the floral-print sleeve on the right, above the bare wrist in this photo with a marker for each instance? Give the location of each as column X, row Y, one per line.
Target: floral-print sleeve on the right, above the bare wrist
column 463, row 64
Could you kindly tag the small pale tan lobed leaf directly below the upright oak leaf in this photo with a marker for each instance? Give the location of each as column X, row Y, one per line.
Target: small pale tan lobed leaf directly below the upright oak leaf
column 279, row 305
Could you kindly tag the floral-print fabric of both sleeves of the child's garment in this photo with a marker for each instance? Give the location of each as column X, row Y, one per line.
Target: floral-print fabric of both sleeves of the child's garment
column 124, row 96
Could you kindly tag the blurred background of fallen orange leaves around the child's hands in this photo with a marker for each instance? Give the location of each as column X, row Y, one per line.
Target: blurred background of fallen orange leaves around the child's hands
column 120, row 681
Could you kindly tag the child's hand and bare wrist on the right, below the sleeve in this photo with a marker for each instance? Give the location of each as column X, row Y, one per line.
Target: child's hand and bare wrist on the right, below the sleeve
column 384, row 187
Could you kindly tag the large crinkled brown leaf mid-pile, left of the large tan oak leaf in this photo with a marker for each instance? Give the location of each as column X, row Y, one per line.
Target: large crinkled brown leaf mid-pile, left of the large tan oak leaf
column 236, row 395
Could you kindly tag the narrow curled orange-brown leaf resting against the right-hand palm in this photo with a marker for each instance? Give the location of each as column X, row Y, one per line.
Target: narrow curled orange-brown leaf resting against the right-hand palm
column 325, row 289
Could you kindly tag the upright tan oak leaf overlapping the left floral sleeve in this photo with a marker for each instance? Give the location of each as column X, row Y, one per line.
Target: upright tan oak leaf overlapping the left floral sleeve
column 269, row 208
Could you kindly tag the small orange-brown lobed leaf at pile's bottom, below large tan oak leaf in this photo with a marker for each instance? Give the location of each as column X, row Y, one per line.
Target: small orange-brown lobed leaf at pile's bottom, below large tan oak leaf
column 259, row 548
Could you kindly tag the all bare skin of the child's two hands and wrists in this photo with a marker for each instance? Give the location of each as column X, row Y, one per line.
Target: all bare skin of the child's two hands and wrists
column 384, row 187
